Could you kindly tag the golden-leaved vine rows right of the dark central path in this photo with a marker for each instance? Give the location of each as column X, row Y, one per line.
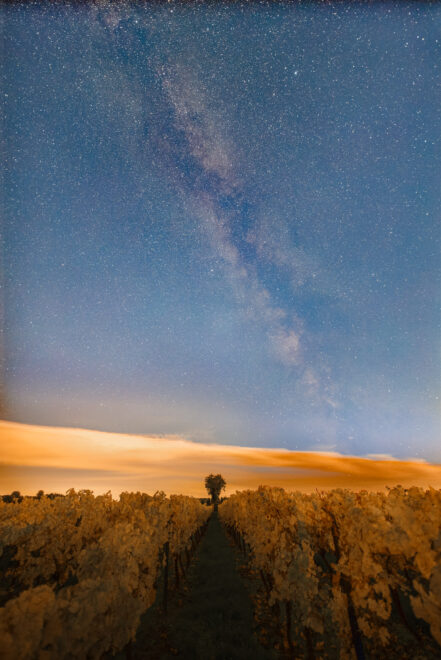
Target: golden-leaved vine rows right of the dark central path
column 348, row 575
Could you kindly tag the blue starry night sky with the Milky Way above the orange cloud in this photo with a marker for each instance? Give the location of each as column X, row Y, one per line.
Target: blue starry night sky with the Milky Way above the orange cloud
column 222, row 222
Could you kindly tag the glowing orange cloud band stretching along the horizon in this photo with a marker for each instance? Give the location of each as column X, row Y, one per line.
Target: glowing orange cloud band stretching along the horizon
column 55, row 459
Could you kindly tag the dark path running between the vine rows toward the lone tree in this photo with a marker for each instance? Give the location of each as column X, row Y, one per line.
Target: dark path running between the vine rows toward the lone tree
column 211, row 618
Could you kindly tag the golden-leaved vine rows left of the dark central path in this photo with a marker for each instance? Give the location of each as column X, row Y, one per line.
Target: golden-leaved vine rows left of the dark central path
column 80, row 570
